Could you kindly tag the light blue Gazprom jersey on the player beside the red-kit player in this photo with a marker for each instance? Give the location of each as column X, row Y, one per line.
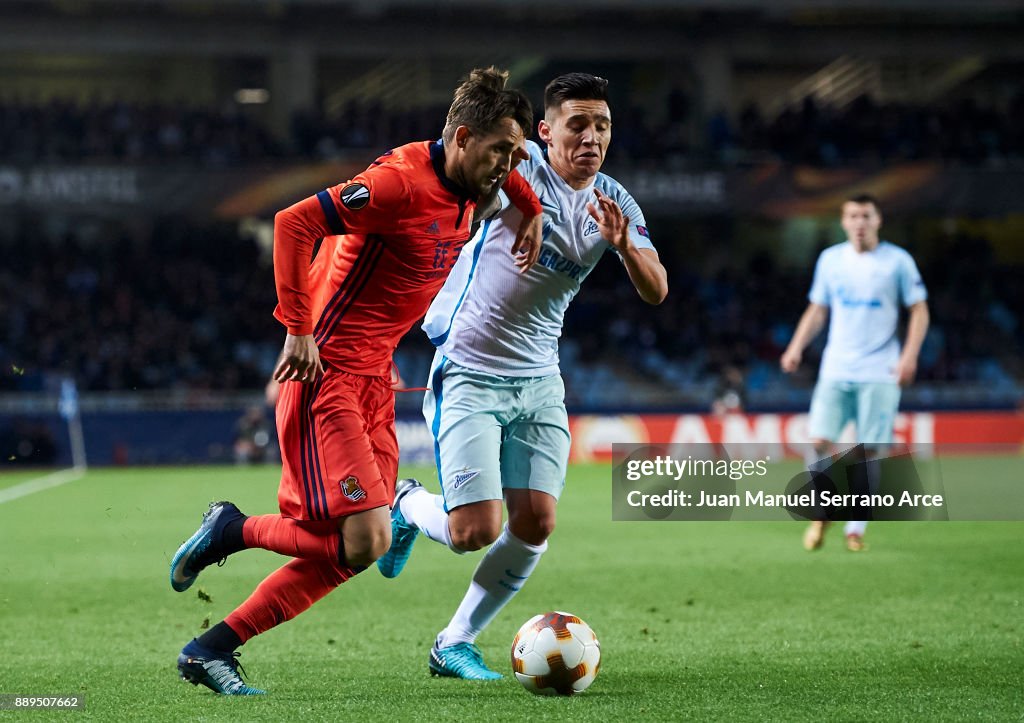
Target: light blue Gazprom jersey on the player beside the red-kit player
column 491, row 318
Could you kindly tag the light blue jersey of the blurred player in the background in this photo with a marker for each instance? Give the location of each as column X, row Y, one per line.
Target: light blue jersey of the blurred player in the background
column 865, row 292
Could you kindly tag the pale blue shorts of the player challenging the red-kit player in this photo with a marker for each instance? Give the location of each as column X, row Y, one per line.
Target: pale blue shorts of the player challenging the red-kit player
column 494, row 433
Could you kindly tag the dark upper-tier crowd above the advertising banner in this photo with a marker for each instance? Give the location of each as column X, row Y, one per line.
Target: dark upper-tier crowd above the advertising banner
column 966, row 132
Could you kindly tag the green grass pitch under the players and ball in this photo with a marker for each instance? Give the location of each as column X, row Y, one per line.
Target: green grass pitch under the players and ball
column 698, row 621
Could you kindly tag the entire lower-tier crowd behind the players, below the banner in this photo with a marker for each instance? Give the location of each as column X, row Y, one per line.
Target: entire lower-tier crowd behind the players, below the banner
column 187, row 308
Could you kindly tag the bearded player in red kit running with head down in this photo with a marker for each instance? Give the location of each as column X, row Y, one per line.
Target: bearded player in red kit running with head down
column 400, row 227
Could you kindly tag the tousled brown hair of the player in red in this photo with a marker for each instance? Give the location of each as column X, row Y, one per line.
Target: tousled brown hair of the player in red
column 483, row 102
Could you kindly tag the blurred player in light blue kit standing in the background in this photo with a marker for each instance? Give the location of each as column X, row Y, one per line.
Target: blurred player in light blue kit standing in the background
column 862, row 284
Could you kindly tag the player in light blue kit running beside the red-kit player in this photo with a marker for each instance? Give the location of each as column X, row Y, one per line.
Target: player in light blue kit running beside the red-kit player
column 496, row 400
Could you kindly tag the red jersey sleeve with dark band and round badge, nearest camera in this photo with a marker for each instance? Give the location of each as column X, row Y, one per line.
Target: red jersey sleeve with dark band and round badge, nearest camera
column 371, row 203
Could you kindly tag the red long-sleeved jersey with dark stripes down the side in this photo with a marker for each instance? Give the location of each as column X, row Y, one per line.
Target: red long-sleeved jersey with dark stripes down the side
column 401, row 226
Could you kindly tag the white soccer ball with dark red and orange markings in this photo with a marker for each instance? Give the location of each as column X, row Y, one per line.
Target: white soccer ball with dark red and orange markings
column 556, row 655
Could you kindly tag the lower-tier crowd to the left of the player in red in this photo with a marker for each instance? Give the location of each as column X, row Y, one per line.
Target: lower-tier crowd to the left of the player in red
column 175, row 307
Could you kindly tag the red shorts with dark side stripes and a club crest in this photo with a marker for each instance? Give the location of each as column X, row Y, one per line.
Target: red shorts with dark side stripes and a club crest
column 338, row 447
